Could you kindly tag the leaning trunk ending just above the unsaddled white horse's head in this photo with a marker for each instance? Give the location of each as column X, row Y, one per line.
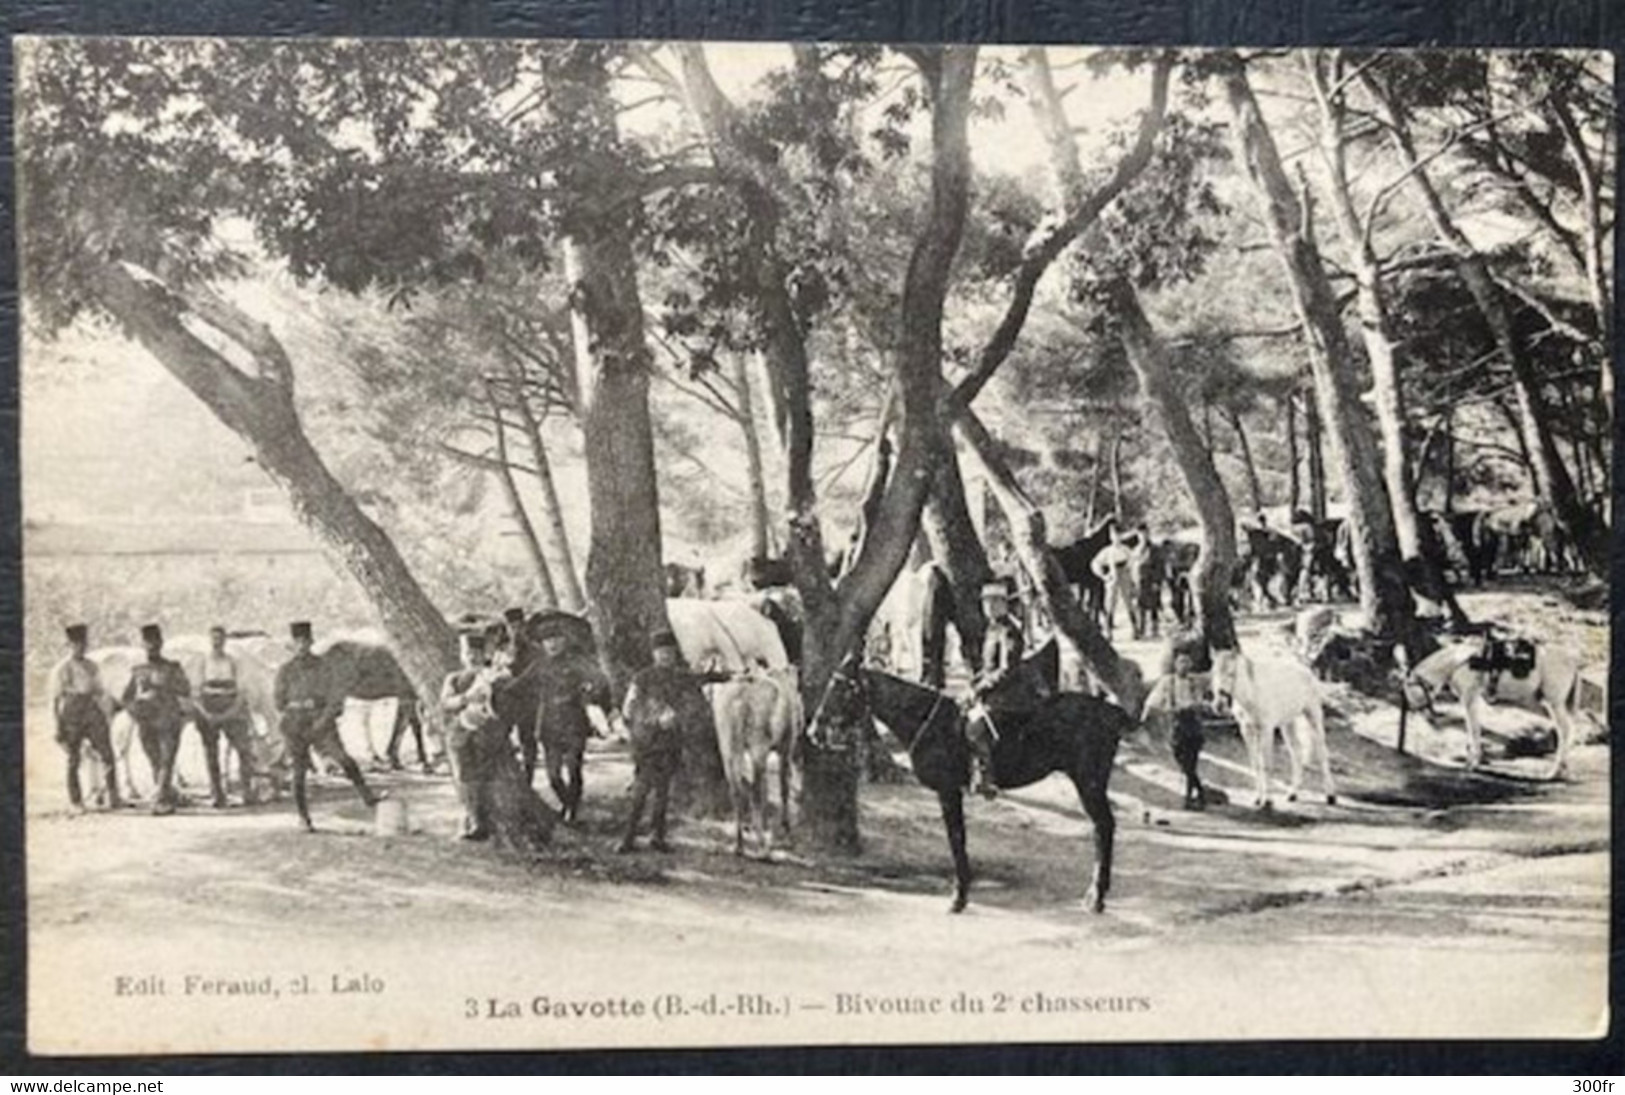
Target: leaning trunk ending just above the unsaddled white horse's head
column 1148, row 355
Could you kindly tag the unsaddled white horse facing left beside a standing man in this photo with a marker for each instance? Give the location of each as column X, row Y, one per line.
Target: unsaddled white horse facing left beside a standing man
column 1272, row 695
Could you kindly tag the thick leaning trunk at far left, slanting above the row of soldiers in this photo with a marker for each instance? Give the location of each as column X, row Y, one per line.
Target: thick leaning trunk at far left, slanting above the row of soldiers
column 261, row 410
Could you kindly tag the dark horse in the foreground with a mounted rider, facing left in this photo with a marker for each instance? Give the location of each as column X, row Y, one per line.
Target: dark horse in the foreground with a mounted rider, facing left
column 1070, row 734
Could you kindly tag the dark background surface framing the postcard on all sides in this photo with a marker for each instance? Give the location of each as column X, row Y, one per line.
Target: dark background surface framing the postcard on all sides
column 1447, row 24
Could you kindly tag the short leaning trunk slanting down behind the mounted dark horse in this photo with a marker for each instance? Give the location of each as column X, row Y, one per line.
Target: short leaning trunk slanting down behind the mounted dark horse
column 1029, row 537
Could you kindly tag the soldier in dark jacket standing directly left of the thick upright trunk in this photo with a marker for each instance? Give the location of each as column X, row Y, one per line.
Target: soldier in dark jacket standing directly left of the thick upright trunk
column 573, row 696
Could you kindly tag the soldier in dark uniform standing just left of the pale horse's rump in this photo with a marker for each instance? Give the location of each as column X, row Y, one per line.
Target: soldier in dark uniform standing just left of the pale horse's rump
column 657, row 704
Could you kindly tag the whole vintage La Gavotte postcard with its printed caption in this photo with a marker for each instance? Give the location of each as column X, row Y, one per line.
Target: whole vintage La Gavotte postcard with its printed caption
column 558, row 545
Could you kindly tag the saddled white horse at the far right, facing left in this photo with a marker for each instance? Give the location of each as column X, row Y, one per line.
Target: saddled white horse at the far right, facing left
column 1553, row 686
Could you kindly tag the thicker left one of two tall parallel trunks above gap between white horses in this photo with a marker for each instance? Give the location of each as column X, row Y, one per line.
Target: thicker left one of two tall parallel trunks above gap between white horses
column 1385, row 595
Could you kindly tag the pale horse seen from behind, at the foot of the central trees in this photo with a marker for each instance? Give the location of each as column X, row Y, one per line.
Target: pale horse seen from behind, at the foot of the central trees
column 756, row 714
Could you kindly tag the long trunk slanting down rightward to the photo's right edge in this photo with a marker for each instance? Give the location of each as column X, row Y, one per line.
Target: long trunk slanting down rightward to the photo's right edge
column 1551, row 477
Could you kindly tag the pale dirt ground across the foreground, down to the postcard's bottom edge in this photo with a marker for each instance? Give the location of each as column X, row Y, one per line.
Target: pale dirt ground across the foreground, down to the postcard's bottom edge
column 1385, row 915
